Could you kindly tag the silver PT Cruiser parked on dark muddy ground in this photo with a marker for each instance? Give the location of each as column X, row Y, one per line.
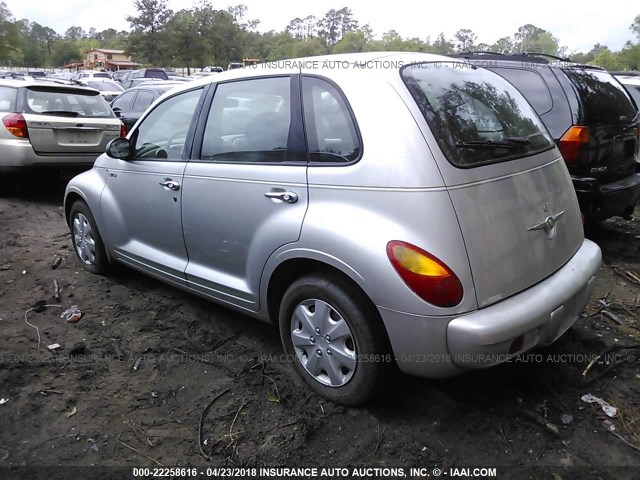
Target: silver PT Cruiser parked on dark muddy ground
column 385, row 210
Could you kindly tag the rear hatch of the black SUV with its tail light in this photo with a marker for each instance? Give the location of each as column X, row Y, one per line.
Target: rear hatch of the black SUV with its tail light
column 608, row 146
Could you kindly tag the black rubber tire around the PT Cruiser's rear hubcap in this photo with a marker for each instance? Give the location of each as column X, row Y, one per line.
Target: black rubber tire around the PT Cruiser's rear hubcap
column 374, row 362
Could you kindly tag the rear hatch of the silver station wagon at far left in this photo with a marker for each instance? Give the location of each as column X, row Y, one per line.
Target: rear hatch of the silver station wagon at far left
column 68, row 121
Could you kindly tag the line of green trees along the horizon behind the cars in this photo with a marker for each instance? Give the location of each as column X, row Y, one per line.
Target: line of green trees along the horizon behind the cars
column 203, row 35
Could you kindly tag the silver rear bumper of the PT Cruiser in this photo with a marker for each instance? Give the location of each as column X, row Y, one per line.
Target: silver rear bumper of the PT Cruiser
column 445, row 346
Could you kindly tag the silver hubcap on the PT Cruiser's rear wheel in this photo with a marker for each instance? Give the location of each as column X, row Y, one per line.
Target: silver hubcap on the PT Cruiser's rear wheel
column 323, row 343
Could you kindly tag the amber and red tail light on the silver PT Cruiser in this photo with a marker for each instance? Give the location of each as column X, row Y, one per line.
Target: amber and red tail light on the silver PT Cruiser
column 427, row 276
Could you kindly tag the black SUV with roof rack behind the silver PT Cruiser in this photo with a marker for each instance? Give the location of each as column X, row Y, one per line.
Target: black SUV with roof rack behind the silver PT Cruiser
column 592, row 119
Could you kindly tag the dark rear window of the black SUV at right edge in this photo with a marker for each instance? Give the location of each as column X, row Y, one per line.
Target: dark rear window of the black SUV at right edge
column 603, row 100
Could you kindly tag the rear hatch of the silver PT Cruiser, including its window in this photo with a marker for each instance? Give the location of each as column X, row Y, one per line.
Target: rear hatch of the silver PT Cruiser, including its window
column 511, row 191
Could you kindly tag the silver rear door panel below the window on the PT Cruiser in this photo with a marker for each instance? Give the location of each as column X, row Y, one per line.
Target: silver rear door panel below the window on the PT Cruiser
column 231, row 228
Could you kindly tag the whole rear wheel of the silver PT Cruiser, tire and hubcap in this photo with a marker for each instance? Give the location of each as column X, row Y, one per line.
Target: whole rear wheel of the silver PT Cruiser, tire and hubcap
column 336, row 339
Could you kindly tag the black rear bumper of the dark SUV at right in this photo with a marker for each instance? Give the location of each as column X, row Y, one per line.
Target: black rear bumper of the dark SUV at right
column 601, row 201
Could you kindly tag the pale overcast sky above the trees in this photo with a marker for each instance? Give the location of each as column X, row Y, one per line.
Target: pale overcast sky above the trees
column 578, row 25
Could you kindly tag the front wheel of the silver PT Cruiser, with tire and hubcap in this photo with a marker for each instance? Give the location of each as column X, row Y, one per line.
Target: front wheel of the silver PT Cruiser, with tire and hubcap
column 86, row 239
